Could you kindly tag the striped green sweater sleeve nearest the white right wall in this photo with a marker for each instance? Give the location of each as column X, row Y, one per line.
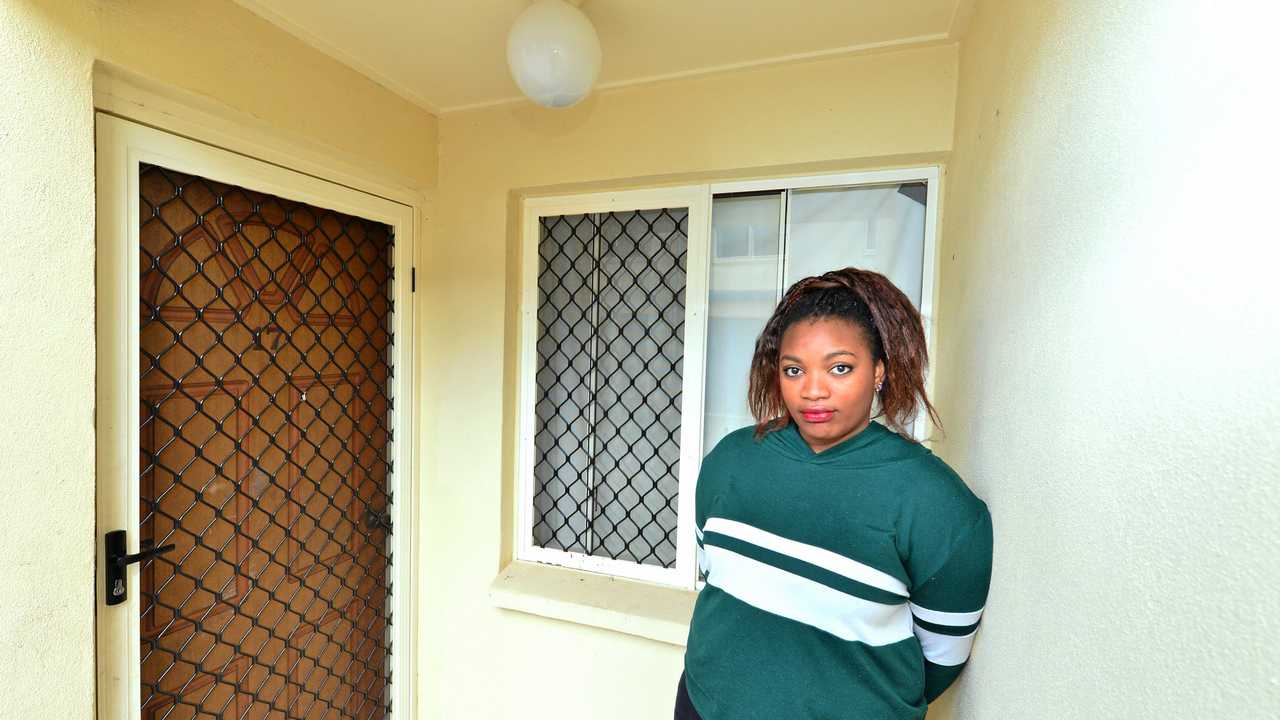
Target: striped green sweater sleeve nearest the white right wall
column 947, row 603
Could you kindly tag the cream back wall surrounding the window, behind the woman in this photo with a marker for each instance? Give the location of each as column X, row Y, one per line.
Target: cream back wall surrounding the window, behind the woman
column 482, row 663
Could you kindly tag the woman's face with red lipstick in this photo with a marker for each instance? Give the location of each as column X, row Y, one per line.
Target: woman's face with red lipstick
column 829, row 380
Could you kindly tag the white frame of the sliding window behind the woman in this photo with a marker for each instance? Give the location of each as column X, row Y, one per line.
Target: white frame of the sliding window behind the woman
column 698, row 199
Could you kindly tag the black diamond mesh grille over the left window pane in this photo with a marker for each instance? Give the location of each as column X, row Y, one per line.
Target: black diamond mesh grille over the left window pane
column 610, row 361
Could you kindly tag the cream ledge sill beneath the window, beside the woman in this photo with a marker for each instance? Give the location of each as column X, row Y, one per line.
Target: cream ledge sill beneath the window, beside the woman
column 591, row 599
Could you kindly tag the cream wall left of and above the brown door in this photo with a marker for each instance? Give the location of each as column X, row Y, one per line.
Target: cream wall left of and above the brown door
column 48, row 51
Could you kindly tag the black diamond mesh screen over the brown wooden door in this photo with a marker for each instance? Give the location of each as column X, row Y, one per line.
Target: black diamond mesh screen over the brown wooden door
column 266, row 338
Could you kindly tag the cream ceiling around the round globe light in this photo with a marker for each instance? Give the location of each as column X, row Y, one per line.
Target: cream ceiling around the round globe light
column 452, row 54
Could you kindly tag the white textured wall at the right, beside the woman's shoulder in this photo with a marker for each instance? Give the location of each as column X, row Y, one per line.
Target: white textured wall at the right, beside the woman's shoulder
column 1110, row 350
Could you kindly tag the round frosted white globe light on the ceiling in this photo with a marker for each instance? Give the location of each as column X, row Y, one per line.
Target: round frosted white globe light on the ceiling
column 554, row 53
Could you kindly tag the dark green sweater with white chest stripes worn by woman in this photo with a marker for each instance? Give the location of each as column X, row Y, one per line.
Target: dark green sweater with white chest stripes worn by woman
column 843, row 585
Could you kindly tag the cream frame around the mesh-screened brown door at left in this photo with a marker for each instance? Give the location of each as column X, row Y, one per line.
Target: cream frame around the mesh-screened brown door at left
column 122, row 147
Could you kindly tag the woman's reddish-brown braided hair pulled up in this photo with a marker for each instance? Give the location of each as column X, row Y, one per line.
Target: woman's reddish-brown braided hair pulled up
column 888, row 320
